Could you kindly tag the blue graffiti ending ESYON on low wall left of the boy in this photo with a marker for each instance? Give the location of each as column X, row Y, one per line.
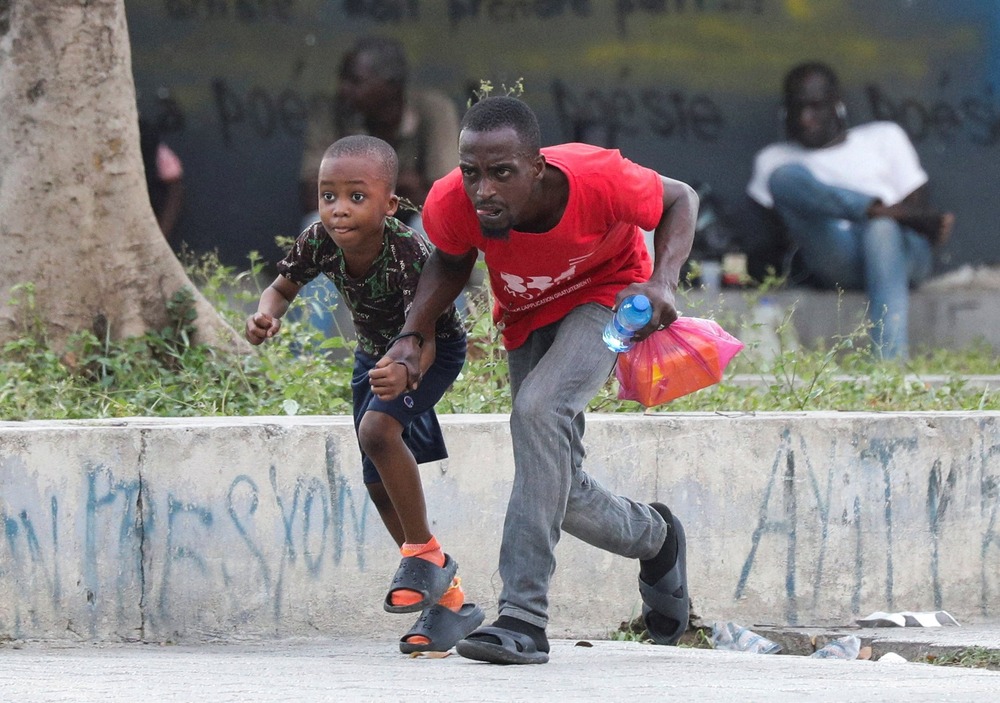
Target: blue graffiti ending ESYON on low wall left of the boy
column 140, row 552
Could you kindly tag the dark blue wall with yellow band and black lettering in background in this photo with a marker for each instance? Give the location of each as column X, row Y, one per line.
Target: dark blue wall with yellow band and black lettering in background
column 689, row 87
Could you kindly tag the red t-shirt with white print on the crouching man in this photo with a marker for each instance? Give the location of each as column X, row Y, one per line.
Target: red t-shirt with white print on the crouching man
column 597, row 248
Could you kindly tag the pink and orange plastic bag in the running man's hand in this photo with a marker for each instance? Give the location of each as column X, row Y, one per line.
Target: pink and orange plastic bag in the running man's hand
column 690, row 354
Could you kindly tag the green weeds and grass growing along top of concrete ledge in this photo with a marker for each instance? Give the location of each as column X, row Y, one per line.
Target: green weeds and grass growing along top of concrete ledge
column 302, row 371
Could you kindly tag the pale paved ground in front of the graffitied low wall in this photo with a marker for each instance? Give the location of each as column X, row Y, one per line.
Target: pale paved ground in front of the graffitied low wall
column 363, row 670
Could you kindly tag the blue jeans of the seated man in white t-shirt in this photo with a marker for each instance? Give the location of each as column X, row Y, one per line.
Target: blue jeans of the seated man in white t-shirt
column 842, row 248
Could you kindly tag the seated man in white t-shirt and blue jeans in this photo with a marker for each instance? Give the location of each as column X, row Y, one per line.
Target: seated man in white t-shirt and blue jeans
column 854, row 202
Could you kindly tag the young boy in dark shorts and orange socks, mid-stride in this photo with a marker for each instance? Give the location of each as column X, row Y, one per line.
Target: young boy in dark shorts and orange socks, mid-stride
column 375, row 261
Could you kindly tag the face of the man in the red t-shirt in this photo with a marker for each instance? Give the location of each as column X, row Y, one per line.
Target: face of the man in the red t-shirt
column 499, row 177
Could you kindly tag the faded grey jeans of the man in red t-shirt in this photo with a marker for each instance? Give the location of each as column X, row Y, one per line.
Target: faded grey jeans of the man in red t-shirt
column 553, row 376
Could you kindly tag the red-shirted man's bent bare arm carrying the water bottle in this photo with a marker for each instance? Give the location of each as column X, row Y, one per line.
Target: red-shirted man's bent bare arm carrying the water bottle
column 672, row 240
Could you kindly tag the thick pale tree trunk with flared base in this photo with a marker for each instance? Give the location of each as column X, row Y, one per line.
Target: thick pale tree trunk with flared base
column 75, row 216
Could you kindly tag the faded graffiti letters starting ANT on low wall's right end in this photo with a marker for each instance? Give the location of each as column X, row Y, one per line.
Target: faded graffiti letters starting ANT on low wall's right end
column 862, row 516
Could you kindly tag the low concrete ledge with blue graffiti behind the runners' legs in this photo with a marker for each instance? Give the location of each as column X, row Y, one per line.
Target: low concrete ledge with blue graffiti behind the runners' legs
column 180, row 529
